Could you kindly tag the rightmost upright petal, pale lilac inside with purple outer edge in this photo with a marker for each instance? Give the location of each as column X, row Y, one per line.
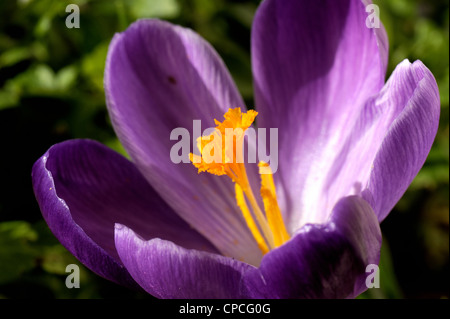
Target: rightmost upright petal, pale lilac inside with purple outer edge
column 387, row 143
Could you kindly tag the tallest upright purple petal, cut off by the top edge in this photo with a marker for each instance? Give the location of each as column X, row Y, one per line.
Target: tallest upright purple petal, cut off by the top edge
column 315, row 63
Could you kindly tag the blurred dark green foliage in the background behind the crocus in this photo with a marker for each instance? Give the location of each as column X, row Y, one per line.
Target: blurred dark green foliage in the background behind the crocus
column 51, row 89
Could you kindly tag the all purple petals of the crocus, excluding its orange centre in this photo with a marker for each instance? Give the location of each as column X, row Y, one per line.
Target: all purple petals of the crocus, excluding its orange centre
column 349, row 146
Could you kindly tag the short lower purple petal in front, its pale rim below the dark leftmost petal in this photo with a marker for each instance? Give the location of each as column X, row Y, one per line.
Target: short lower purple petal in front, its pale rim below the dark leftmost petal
column 166, row 270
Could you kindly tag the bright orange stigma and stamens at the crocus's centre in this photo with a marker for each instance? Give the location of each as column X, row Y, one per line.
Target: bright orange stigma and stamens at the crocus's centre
column 223, row 156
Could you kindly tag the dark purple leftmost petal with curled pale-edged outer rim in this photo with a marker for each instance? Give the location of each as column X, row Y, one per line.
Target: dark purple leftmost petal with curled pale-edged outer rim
column 83, row 188
